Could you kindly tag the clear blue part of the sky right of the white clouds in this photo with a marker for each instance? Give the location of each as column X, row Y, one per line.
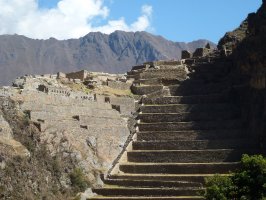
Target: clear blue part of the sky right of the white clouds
column 187, row 20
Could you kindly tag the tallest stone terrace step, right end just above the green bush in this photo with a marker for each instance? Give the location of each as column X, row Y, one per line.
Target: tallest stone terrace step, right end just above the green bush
column 187, row 156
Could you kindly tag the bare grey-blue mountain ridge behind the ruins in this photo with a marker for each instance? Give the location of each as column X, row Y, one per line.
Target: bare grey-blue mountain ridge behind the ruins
column 114, row 53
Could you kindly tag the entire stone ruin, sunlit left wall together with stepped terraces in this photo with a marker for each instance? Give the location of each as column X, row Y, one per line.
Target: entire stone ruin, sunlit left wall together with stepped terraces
column 155, row 133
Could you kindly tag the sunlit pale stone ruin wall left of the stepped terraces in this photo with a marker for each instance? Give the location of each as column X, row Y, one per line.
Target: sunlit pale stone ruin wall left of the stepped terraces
column 90, row 126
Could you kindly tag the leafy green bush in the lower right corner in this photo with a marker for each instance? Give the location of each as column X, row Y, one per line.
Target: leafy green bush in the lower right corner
column 248, row 183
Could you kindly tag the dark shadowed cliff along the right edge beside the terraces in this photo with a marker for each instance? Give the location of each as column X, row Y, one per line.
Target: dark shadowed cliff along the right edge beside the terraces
column 248, row 45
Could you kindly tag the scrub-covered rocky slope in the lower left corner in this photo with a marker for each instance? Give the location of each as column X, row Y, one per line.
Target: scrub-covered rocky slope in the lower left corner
column 27, row 170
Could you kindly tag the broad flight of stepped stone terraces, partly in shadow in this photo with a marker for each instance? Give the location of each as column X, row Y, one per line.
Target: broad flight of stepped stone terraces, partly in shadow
column 191, row 131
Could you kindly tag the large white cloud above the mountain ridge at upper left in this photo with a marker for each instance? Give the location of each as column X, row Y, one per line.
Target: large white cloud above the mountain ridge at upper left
column 70, row 19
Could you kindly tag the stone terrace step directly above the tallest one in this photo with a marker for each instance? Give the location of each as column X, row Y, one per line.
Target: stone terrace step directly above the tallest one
column 193, row 144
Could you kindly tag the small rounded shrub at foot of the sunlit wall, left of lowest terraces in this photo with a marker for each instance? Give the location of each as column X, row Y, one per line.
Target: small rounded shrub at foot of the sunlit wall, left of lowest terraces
column 78, row 180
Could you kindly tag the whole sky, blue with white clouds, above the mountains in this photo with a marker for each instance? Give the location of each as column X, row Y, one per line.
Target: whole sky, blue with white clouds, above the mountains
column 177, row 20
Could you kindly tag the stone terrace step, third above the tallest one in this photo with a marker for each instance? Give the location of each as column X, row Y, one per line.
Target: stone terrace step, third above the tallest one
column 195, row 125
